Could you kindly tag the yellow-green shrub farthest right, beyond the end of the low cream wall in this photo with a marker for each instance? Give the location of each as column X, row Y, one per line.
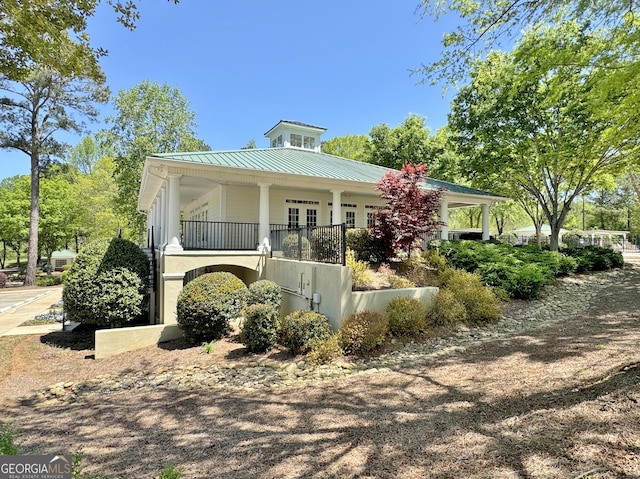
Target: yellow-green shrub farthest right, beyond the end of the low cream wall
column 480, row 302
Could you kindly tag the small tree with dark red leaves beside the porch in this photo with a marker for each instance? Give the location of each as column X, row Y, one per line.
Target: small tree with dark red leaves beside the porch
column 411, row 209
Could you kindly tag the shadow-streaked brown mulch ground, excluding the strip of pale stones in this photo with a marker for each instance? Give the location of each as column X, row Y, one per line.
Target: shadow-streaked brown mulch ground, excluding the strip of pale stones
column 558, row 402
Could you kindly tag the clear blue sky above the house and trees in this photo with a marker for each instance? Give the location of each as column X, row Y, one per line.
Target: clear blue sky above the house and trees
column 244, row 65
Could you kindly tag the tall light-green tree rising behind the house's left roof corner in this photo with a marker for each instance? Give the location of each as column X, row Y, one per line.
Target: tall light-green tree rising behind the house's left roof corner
column 150, row 118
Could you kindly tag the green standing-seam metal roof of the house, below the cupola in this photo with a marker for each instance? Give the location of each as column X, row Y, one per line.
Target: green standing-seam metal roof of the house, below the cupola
column 306, row 163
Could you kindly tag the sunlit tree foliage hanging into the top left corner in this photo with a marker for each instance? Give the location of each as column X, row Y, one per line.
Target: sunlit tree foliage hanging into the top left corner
column 52, row 34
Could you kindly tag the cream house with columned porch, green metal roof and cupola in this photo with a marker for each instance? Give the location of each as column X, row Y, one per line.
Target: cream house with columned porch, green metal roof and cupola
column 222, row 210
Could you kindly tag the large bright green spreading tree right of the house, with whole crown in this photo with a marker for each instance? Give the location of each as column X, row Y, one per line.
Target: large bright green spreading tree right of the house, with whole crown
column 538, row 128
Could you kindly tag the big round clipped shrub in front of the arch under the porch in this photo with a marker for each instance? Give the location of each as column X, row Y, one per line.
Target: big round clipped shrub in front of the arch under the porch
column 207, row 304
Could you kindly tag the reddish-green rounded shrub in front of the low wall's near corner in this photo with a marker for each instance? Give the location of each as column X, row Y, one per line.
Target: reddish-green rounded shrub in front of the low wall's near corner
column 362, row 332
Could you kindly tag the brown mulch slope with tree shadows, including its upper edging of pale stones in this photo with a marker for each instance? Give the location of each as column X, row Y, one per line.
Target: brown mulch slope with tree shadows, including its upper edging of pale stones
column 550, row 392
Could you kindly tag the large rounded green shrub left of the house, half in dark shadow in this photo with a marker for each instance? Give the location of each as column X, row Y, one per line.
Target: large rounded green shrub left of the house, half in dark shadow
column 116, row 268
